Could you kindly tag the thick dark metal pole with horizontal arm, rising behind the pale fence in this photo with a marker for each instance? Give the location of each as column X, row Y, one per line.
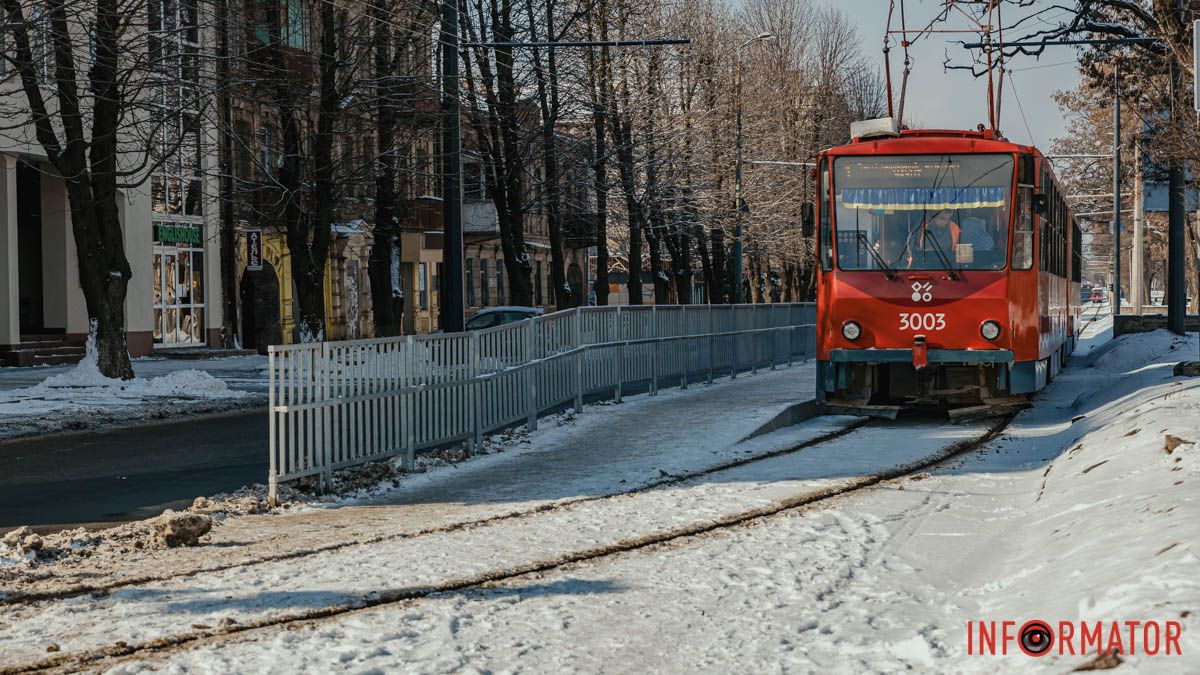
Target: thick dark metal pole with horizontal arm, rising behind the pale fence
column 452, row 297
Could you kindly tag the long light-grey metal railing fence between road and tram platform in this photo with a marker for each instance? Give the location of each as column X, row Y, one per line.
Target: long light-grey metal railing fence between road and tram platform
column 340, row 404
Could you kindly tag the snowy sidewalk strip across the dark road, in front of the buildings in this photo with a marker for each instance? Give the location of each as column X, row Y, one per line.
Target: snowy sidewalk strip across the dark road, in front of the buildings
column 35, row 401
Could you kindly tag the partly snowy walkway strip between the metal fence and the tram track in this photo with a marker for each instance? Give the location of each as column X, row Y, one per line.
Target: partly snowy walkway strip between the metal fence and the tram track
column 608, row 450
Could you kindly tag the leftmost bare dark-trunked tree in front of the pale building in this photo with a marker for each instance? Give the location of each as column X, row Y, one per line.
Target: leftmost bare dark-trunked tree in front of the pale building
column 89, row 73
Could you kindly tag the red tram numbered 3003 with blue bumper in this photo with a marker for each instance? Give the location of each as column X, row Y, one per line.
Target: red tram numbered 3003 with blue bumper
column 949, row 270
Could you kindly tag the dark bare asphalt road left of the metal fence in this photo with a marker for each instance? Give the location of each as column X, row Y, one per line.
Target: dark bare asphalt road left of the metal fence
column 130, row 473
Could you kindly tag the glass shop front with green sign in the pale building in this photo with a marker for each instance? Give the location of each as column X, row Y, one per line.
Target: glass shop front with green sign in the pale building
column 178, row 282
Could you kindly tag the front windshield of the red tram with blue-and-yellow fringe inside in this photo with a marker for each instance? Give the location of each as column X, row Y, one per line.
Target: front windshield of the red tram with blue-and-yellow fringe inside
column 923, row 212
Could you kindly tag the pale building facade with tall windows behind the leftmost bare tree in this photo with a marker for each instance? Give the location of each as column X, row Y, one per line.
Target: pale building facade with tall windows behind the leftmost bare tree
column 170, row 230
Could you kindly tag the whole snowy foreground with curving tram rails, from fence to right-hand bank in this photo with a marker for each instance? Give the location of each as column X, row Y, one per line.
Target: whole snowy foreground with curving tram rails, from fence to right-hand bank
column 553, row 555
